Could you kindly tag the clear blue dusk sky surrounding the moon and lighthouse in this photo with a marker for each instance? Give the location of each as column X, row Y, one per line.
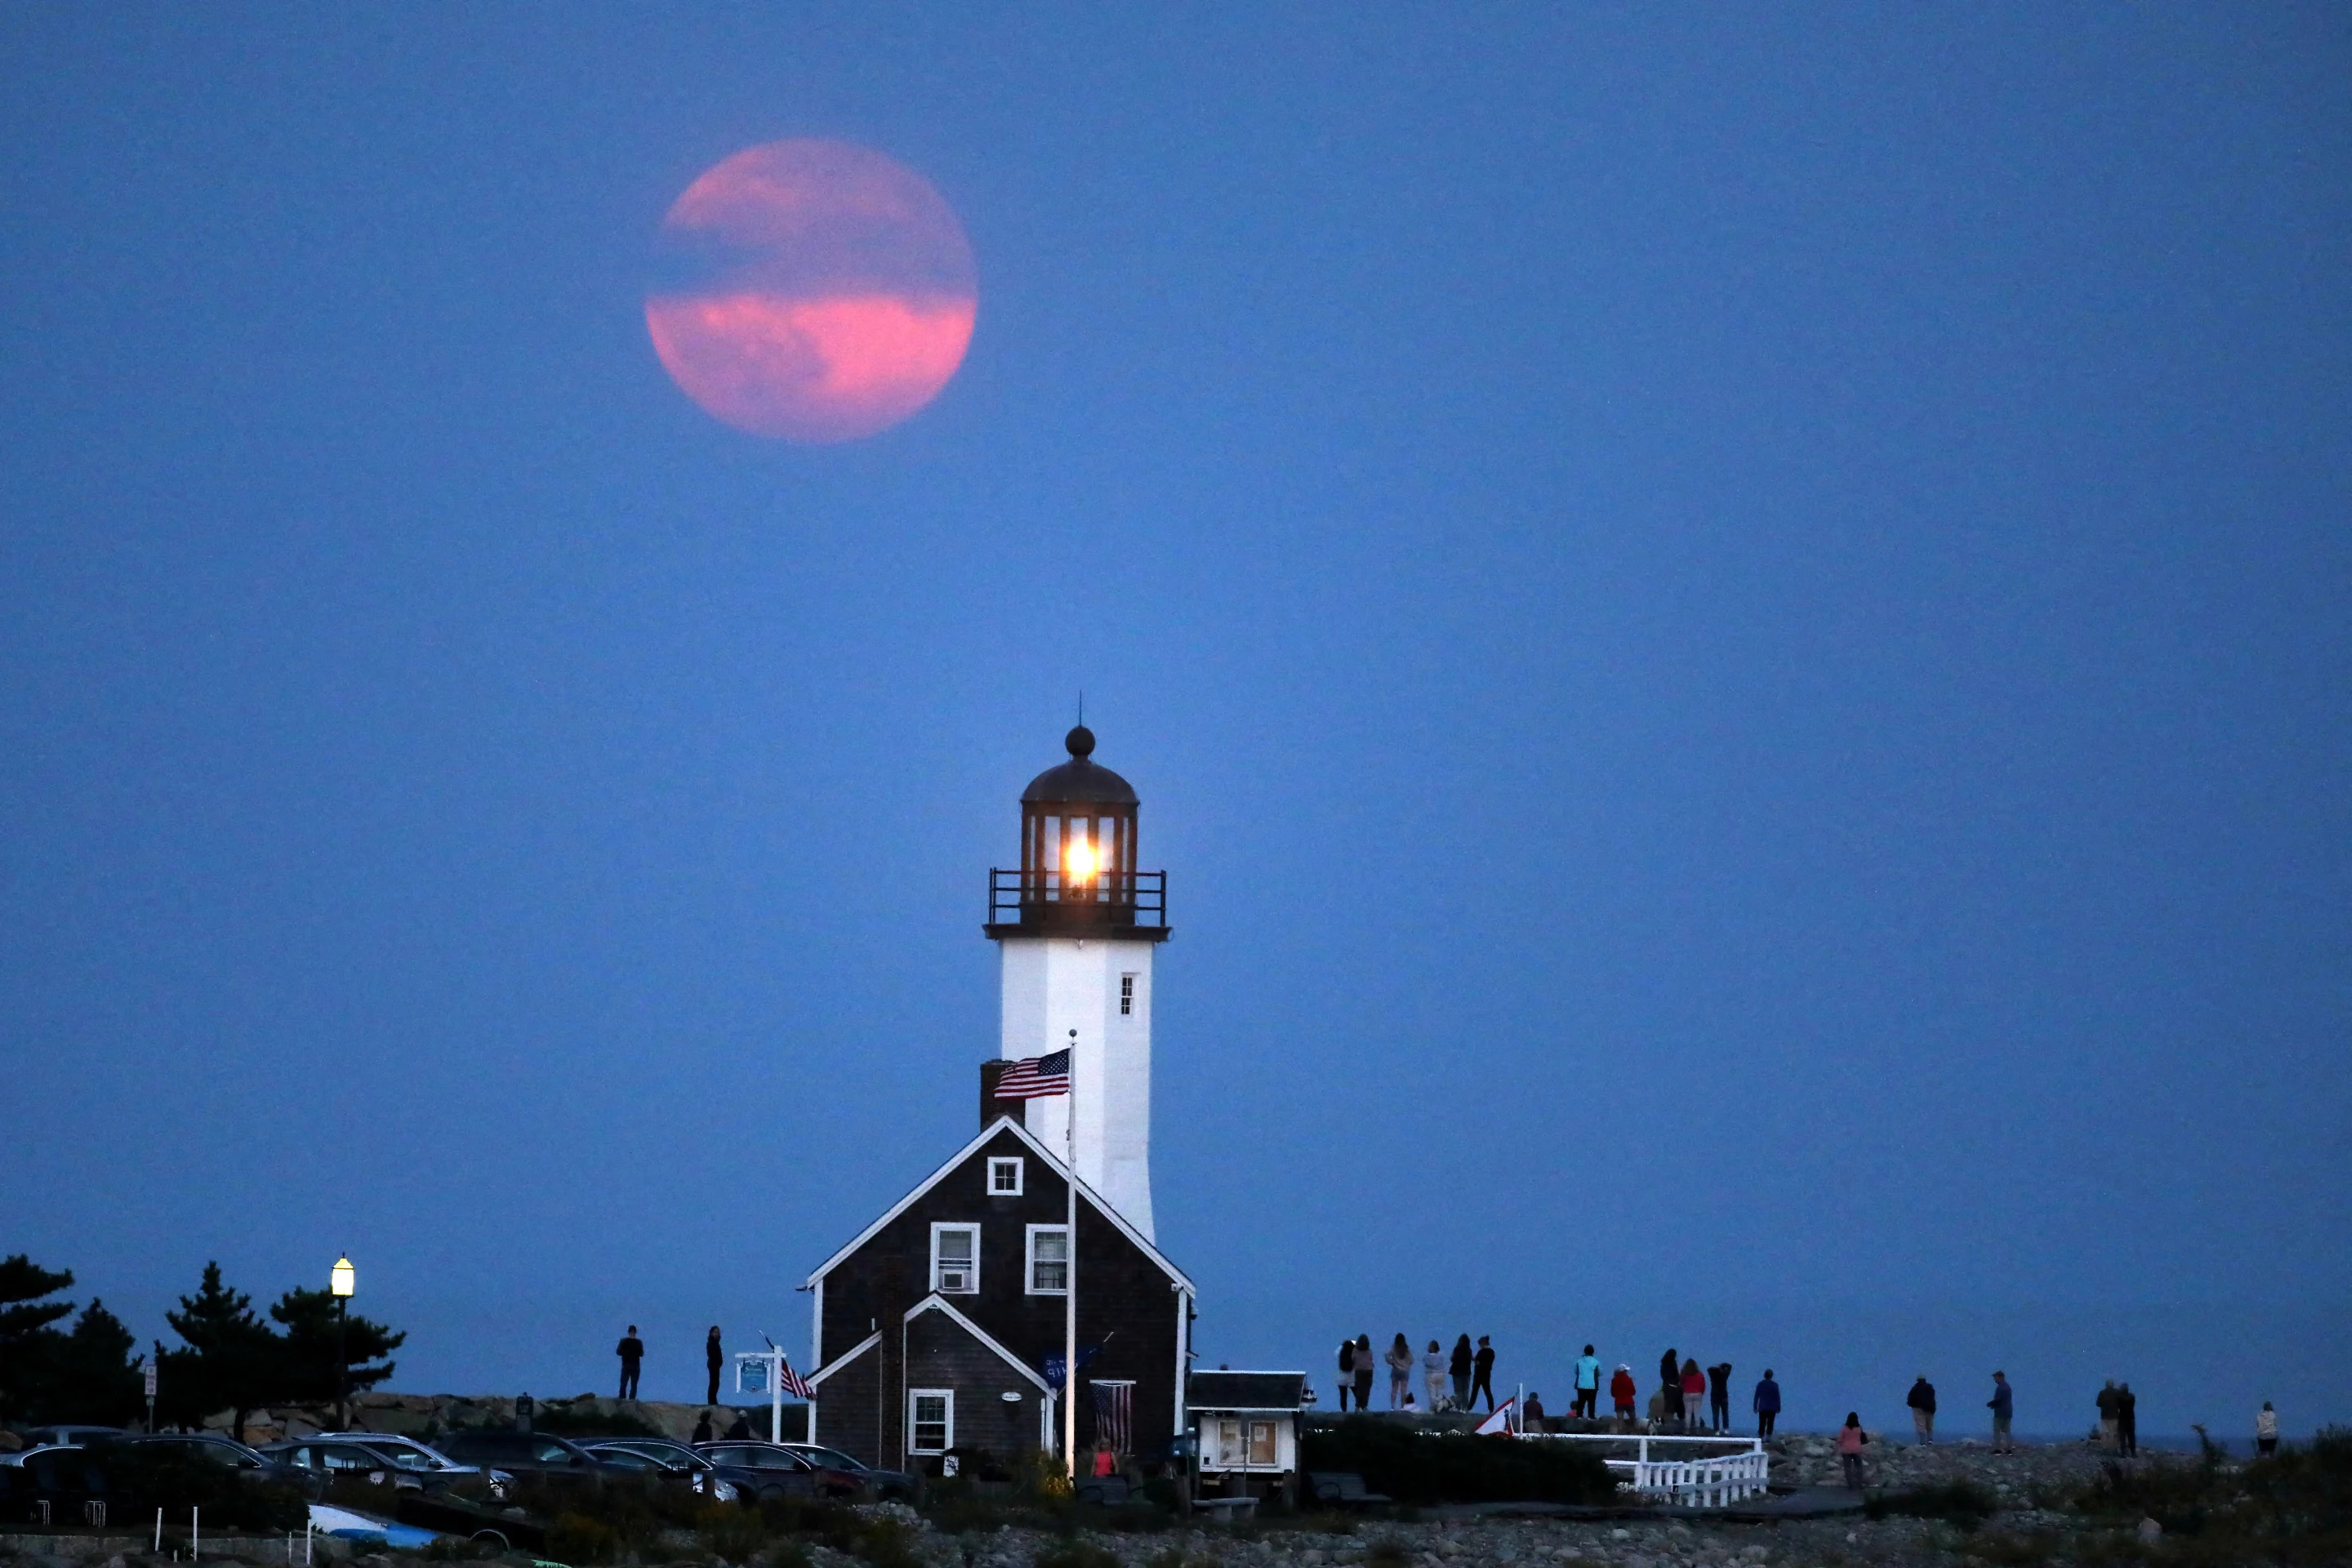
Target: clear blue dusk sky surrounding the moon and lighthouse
column 1732, row 626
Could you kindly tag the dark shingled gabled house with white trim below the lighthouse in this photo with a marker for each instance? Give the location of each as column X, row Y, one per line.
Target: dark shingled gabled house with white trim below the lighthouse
column 935, row 1325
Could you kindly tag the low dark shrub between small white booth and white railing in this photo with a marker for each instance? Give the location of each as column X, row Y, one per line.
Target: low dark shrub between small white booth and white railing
column 1455, row 1468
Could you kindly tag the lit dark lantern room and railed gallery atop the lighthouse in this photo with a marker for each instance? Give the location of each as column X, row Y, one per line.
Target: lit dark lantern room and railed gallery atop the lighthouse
column 1078, row 859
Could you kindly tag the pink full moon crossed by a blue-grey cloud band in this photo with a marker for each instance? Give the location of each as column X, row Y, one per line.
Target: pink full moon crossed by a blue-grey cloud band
column 813, row 293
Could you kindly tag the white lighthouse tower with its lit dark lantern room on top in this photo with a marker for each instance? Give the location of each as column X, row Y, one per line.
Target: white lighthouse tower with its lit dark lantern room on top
column 1076, row 932
